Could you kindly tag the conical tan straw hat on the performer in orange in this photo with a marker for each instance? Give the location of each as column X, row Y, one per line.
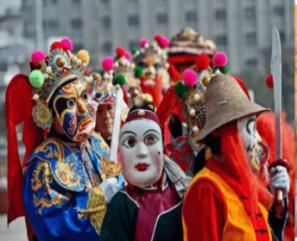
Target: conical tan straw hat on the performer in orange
column 225, row 102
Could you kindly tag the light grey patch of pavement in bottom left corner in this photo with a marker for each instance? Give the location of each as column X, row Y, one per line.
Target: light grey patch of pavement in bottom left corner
column 15, row 232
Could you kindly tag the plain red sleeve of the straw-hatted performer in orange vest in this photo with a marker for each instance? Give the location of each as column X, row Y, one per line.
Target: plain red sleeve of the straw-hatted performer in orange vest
column 204, row 212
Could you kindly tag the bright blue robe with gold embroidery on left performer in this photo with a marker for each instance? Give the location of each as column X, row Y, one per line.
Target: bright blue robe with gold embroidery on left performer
column 62, row 196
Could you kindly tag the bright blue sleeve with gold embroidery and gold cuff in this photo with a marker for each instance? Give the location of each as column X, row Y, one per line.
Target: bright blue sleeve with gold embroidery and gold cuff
column 57, row 213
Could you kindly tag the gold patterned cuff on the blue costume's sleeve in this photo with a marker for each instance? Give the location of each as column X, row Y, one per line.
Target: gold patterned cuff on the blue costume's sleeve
column 96, row 208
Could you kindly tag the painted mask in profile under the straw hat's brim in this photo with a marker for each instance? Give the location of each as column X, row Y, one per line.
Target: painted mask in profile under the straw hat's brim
column 256, row 150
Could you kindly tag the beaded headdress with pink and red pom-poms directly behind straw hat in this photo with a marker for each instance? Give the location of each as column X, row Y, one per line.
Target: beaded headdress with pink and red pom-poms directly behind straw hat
column 192, row 89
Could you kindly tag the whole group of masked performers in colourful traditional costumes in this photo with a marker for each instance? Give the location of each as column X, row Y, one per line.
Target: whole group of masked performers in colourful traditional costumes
column 163, row 143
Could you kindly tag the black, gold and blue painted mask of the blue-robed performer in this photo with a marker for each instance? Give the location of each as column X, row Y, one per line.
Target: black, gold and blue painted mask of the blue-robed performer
column 72, row 107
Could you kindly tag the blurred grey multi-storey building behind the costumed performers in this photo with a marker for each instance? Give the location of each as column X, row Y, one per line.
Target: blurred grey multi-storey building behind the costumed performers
column 242, row 28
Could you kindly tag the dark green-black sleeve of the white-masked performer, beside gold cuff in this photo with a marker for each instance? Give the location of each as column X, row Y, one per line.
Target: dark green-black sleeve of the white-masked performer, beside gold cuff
column 120, row 220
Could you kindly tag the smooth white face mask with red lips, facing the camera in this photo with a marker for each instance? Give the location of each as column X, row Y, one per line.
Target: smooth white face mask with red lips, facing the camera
column 141, row 152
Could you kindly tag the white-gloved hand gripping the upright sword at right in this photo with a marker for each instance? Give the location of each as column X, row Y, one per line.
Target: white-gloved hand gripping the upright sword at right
column 279, row 179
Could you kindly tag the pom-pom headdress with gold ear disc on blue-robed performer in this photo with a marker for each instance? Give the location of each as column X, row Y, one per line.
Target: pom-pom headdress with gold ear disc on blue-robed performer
column 51, row 72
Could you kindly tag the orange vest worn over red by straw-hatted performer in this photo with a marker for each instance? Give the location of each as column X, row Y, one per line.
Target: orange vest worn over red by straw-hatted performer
column 238, row 225
